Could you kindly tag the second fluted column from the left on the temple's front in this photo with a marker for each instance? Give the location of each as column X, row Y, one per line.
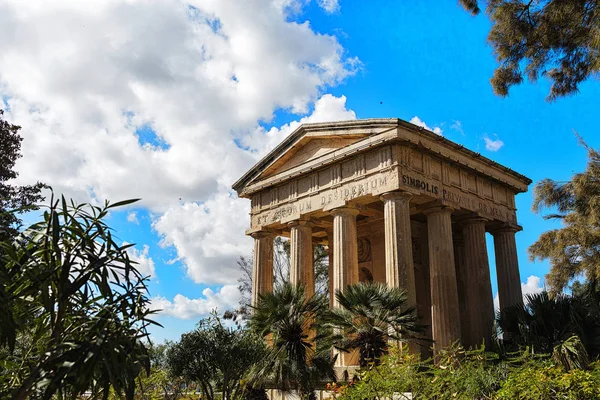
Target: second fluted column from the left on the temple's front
column 301, row 256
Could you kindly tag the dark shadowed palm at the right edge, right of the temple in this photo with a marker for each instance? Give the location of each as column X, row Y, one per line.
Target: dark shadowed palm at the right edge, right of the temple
column 566, row 327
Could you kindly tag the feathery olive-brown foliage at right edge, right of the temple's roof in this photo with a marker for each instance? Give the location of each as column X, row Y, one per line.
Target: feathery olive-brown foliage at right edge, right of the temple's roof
column 574, row 249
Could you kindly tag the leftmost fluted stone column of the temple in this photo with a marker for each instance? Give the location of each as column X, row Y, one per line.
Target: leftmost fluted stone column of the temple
column 262, row 269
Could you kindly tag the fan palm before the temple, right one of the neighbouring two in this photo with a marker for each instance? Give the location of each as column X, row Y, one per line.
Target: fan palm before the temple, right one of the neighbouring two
column 369, row 315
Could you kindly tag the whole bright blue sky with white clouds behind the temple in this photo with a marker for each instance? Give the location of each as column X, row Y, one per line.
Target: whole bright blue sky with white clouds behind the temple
column 174, row 109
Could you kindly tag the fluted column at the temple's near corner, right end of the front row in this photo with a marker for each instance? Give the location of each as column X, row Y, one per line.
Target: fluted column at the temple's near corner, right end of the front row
column 399, row 268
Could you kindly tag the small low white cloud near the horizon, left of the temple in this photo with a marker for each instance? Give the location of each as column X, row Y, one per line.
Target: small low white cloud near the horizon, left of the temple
column 226, row 298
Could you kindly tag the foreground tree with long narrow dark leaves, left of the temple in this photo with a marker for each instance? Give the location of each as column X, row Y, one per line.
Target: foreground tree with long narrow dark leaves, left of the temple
column 73, row 308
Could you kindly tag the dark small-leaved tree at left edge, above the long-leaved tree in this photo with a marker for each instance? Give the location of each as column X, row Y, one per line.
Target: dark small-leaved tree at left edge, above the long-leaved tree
column 13, row 199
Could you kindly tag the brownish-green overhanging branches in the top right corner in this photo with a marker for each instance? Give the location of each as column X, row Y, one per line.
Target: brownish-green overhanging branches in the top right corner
column 558, row 39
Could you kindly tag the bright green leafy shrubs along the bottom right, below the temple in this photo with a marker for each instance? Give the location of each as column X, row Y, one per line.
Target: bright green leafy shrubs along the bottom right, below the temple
column 472, row 375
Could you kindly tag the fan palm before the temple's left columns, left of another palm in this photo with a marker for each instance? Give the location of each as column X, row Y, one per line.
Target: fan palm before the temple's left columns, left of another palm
column 287, row 319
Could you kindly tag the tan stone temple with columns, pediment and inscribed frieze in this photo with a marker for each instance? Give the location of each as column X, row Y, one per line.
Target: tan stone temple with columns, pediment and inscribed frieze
column 394, row 203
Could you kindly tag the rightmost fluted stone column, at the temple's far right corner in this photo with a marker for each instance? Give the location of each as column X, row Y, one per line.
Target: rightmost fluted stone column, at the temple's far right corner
column 507, row 267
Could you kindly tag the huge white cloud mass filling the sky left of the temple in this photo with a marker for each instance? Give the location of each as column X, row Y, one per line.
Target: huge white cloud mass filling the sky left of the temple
column 128, row 98
